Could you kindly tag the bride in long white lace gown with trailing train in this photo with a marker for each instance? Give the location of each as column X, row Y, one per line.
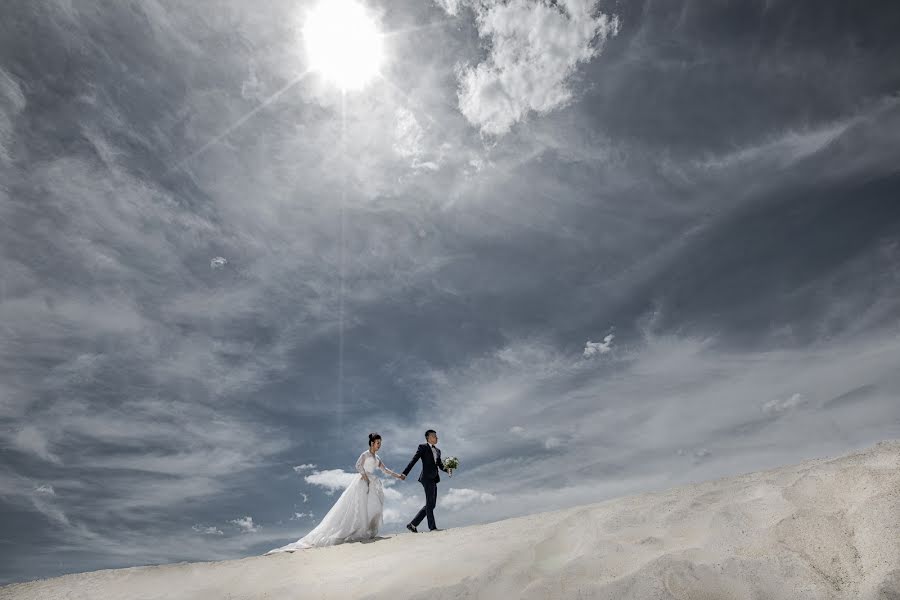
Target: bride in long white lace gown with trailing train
column 357, row 514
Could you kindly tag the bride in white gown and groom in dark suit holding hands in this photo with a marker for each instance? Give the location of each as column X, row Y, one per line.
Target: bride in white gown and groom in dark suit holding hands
column 358, row 513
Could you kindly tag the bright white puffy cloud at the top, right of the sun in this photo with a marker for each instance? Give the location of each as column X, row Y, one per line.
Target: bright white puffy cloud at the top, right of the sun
column 534, row 49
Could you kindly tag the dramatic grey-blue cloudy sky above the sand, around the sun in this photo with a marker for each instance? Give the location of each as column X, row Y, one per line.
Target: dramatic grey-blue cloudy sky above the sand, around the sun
column 601, row 247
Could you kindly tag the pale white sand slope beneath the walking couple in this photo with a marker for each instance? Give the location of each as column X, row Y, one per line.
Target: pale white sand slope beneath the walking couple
column 822, row 529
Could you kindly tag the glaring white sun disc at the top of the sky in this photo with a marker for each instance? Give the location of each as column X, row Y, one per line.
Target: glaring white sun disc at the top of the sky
column 343, row 43
